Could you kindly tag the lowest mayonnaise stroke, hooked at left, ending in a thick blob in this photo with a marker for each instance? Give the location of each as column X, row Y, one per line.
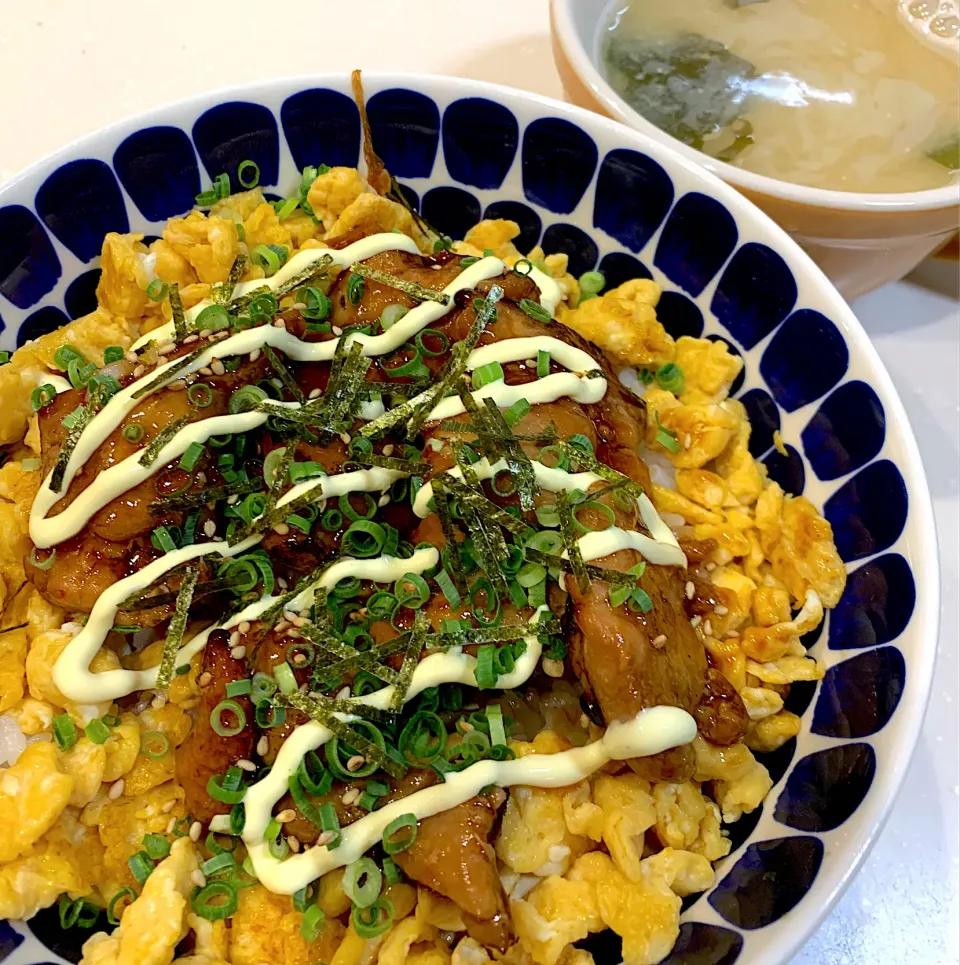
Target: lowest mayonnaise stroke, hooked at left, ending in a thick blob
column 650, row 732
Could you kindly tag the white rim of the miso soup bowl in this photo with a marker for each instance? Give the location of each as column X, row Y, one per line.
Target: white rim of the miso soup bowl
column 573, row 47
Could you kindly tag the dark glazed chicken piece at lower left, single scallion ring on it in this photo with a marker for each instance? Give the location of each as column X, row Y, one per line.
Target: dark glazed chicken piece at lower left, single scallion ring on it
column 205, row 753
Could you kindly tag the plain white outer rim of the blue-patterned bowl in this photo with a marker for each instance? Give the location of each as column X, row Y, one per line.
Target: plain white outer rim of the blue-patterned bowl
column 795, row 930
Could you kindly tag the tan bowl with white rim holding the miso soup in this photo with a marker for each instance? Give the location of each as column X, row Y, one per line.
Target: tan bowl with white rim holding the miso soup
column 861, row 241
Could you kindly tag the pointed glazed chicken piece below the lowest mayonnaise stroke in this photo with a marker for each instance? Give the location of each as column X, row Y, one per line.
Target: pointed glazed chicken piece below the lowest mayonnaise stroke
column 453, row 856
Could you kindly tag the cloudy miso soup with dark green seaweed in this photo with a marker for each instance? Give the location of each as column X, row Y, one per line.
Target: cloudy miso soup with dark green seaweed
column 836, row 94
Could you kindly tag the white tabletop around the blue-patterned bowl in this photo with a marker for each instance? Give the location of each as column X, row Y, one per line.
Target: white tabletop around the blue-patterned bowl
column 68, row 67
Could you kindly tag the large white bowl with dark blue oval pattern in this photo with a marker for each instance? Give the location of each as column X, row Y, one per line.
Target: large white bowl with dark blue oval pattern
column 611, row 199
